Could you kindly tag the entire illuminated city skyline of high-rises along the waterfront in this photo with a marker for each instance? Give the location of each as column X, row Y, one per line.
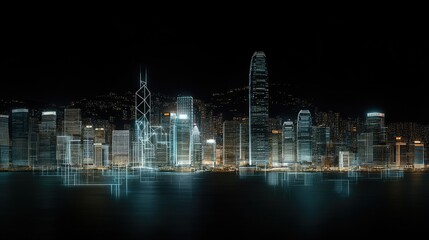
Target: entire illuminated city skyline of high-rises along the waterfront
column 188, row 133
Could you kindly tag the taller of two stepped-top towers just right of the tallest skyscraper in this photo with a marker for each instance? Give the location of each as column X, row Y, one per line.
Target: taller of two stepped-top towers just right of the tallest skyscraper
column 303, row 137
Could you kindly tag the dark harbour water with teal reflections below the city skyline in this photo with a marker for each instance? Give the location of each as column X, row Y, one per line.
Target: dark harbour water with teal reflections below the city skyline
column 216, row 206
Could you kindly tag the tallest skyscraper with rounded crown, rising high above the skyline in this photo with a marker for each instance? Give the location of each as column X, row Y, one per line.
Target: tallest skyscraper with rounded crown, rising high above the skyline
column 258, row 110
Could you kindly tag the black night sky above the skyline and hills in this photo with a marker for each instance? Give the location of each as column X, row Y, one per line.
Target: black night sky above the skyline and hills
column 350, row 67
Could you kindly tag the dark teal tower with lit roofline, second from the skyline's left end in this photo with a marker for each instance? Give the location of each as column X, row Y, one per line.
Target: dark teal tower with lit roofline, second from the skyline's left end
column 20, row 137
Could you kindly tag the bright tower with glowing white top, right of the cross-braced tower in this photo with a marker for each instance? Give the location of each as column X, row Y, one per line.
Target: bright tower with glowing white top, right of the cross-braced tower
column 182, row 141
